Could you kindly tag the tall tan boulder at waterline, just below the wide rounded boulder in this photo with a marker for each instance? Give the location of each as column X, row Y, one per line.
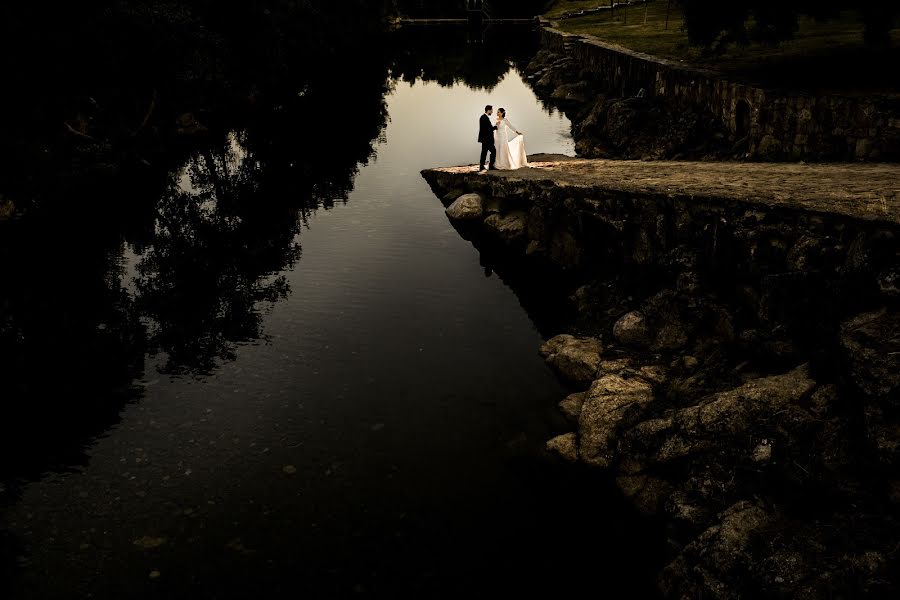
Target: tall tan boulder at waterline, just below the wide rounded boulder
column 612, row 403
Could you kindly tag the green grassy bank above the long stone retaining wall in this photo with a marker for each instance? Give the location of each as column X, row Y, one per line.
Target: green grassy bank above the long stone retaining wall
column 823, row 57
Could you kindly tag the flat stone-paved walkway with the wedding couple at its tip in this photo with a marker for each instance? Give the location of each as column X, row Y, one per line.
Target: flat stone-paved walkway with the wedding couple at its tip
column 862, row 191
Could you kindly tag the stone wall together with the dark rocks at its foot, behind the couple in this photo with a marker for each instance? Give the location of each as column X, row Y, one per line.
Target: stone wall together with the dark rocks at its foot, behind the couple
column 586, row 76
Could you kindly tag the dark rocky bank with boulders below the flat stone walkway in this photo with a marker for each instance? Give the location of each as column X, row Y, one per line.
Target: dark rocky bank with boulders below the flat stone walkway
column 735, row 367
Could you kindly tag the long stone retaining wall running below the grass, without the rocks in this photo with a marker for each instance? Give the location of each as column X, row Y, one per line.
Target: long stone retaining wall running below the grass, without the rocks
column 780, row 126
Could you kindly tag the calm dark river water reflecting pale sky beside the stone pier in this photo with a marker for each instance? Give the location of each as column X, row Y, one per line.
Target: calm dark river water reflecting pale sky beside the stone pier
column 343, row 404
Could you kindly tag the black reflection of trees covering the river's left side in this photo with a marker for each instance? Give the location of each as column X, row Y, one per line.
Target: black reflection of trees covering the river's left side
column 210, row 243
